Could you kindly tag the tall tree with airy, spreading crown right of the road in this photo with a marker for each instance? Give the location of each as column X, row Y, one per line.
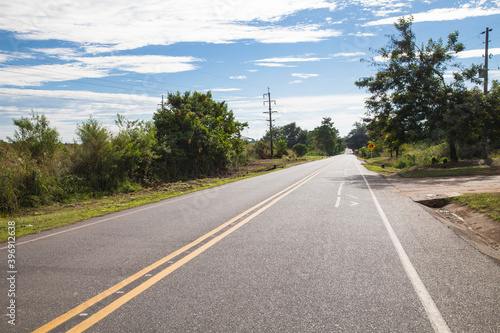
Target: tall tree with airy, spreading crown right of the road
column 410, row 97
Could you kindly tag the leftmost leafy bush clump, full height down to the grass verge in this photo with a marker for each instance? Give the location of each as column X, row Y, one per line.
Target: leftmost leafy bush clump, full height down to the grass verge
column 31, row 166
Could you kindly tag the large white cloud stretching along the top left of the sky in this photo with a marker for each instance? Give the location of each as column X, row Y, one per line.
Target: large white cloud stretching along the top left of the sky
column 104, row 26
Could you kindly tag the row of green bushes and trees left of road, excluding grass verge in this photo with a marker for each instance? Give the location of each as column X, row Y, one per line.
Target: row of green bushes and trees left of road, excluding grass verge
column 191, row 135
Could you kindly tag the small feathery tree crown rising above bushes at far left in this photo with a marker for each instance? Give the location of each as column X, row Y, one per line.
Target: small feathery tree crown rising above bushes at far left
column 35, row 137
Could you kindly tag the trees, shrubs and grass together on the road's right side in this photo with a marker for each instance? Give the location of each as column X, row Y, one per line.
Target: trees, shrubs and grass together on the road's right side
column 428, row 116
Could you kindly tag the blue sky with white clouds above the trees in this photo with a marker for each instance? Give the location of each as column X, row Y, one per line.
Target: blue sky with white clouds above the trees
column 71, row 59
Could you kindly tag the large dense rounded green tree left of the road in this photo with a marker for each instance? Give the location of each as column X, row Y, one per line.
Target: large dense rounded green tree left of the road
column 197, row 136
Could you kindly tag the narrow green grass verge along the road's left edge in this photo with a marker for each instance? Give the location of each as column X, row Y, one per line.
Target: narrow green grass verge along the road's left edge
column 32, row 221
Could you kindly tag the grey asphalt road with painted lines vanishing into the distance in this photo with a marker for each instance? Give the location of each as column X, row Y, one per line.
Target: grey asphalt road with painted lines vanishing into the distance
column 325, row 246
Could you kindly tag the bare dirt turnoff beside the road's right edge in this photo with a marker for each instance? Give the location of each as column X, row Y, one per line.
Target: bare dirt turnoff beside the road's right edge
column 475, row 227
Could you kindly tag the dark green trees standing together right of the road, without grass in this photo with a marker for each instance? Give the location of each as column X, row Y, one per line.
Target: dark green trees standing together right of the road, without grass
column 422, row 94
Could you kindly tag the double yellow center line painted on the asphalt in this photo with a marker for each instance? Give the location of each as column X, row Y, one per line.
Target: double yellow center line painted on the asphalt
column 93, row 319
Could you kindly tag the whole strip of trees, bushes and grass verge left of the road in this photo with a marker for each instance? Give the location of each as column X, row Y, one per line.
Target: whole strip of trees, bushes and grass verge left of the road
column 191, row 143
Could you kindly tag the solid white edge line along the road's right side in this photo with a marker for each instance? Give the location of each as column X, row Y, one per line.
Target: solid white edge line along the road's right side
column 433, row 313
